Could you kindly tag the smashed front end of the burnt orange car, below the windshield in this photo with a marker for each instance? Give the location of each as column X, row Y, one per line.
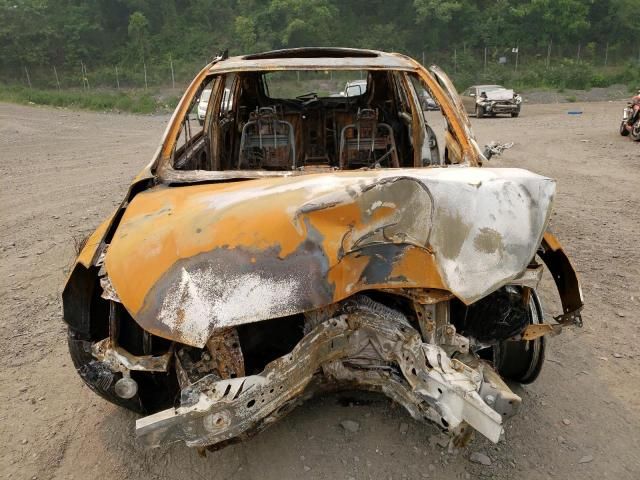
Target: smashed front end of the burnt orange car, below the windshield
column 401, row 282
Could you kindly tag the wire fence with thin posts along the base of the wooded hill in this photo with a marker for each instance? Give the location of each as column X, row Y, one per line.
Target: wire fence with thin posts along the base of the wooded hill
column 578, row 66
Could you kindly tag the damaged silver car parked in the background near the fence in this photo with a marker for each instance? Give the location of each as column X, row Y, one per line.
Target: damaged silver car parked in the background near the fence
column 491, row 100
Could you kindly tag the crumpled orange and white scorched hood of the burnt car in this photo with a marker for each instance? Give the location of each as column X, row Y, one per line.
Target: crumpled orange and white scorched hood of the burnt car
column 187, row 260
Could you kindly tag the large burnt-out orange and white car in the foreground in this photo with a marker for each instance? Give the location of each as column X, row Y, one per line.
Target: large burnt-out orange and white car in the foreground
column 298, row 243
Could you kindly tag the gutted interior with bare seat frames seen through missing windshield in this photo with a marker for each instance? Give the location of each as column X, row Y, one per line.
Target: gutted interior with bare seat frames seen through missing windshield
column 252, row 124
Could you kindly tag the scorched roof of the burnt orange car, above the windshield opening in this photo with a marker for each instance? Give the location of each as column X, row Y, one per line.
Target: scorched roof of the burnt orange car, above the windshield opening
column 315, row 58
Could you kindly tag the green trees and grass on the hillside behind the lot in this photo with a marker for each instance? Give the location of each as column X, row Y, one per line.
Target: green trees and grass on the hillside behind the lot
column 36, row 35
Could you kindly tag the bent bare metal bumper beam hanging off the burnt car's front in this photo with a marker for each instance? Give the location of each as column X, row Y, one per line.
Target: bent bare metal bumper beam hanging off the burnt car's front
column 369, row 346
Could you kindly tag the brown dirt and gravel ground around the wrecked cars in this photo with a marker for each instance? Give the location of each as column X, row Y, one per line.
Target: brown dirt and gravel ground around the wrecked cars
column 62, row 172
